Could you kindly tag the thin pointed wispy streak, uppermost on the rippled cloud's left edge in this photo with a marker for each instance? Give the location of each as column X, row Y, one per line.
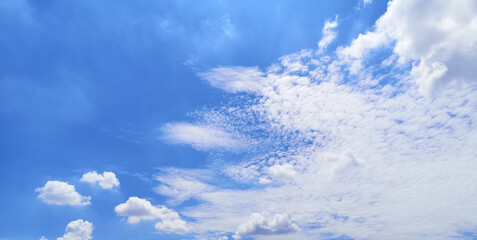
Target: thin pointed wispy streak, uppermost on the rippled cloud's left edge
column 234, row 79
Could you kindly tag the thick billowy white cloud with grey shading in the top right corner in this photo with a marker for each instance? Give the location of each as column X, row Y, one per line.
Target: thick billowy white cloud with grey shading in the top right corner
column 441, row 36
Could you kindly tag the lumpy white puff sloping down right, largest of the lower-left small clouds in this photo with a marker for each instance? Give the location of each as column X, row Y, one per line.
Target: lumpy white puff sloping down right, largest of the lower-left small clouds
column 137, row 209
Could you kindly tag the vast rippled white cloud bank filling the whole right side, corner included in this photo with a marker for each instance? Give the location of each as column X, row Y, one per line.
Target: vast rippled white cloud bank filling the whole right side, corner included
column 350, row 146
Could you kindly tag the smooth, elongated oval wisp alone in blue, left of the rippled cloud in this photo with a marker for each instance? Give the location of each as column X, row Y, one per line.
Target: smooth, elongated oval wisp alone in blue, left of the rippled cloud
column 202, row 137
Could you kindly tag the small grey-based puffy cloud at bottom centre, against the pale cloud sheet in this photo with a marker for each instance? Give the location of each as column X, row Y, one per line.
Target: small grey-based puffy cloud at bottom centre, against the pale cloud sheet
column 266, row 224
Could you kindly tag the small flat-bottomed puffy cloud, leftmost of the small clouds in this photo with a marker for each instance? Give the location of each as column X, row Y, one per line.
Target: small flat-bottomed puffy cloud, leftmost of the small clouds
column 61, row 193
